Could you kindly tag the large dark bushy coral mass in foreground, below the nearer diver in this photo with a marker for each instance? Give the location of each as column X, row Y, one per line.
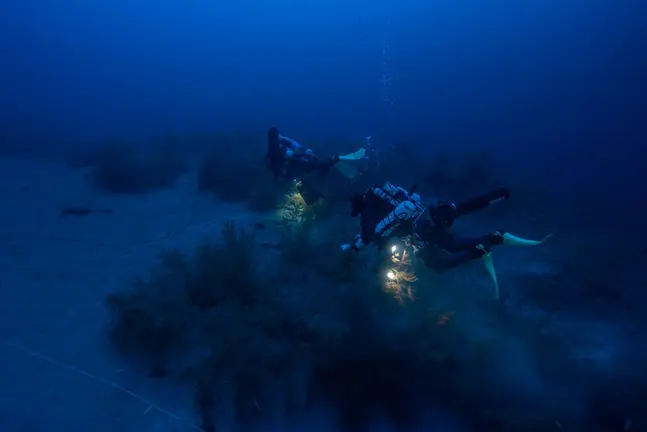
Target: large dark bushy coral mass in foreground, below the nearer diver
column 267, row 333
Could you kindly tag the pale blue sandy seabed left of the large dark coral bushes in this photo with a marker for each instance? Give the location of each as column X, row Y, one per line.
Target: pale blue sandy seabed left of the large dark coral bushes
column 57, row 372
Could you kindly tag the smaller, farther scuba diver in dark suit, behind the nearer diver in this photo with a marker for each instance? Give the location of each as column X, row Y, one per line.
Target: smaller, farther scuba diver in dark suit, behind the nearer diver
column 286, row 157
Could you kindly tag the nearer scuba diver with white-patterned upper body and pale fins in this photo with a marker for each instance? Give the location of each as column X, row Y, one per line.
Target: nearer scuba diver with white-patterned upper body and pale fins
column 390, row 211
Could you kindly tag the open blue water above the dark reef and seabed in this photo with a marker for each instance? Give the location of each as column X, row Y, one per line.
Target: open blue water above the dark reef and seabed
column 458, row 70
